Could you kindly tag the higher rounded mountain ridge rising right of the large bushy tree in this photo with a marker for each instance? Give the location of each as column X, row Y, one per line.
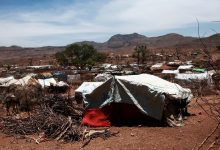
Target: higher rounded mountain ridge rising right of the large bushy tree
column 127, row 42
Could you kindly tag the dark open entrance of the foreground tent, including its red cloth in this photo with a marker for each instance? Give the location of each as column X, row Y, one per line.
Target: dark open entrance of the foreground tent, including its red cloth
column 116, row 114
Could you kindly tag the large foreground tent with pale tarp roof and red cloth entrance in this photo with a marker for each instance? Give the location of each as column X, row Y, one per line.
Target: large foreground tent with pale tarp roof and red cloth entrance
column 132, row 97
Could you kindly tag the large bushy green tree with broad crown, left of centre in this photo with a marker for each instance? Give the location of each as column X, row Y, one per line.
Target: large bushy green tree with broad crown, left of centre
column 80, row 55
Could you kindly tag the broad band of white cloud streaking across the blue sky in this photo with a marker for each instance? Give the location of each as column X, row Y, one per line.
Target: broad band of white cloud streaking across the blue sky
column 96, row 18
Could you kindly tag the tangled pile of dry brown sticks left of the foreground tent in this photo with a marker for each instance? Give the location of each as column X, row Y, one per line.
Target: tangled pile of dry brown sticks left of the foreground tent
column 56, row 118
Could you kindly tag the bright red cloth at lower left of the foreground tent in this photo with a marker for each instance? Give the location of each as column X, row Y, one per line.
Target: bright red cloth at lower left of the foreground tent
column 96, row 117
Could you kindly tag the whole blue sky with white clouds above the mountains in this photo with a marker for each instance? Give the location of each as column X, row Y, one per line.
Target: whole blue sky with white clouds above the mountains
column 34, row 23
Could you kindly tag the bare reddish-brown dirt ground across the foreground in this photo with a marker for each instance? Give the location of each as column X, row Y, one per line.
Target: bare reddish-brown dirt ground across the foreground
column 197, row 127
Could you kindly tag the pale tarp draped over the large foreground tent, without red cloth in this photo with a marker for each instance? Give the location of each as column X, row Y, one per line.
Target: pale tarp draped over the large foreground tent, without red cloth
column 146, row 91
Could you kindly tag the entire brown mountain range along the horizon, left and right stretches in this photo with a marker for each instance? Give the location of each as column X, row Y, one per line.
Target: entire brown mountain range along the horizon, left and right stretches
column 118, row 43
